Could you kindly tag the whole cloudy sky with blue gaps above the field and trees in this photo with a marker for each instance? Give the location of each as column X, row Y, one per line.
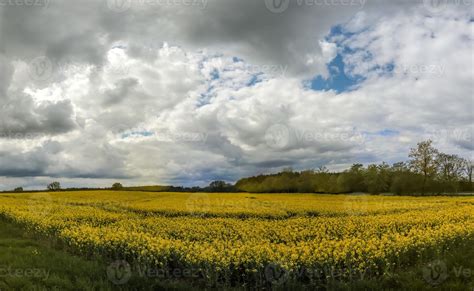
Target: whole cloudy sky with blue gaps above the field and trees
column 188, row 91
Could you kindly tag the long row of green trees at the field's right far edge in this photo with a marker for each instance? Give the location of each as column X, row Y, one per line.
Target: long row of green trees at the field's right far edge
column 427, row 172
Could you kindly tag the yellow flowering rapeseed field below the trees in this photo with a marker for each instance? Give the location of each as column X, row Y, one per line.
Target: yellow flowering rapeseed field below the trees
column 260, row 240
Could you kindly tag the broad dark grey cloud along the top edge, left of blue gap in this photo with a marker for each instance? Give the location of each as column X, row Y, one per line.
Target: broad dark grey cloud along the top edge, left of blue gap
column 83, row 30
